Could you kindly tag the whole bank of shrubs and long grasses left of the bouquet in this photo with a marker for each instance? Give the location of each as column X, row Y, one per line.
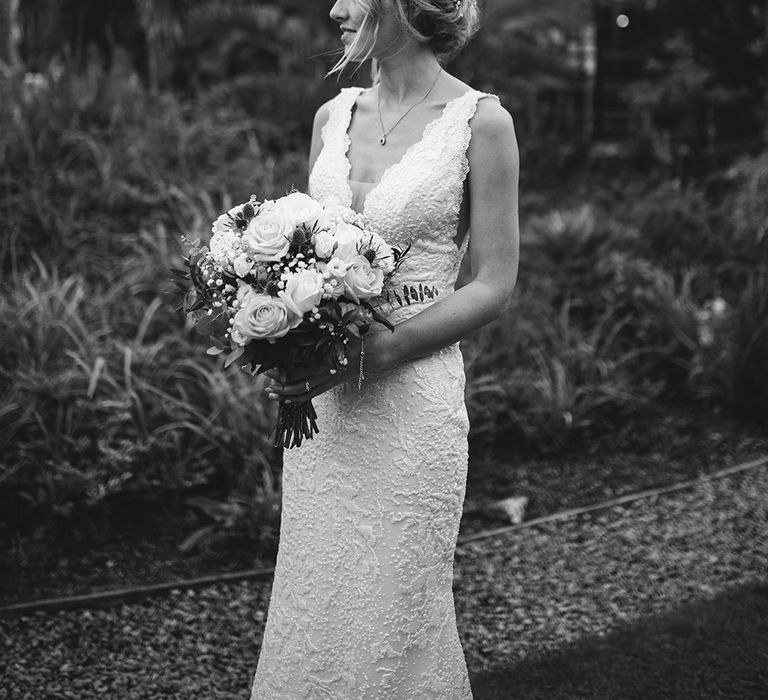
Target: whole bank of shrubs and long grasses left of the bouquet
column 105, row 394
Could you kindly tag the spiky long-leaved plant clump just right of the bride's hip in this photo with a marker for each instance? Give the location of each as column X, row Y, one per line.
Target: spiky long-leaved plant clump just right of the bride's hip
column 540, row 380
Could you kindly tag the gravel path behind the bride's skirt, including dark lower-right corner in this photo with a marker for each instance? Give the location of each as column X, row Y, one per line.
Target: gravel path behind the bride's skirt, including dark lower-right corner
column 635, row 602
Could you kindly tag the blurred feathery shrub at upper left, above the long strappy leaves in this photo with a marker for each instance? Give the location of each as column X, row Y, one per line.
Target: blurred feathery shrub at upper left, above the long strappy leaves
column 94, row 158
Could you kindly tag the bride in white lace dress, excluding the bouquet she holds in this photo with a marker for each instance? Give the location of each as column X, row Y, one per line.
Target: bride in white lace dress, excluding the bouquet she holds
column 362, row 604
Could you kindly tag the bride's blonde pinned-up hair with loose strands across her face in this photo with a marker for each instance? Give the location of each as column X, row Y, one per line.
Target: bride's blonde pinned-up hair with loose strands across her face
column 446, row 25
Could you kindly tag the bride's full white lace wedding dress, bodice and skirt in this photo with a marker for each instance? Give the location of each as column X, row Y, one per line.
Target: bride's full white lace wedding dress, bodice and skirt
column 362, row 603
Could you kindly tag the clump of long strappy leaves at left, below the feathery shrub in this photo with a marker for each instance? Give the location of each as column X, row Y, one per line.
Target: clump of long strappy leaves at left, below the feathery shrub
column 111, row 400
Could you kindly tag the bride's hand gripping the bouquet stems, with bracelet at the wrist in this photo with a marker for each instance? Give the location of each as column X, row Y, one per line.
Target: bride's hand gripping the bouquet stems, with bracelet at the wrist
column 304, row 382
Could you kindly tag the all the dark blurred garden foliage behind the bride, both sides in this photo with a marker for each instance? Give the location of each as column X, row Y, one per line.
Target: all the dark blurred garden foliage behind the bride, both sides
column 644, row 273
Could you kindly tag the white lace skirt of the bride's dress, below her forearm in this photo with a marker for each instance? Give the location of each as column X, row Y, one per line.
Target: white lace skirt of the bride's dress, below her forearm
column 362, row 602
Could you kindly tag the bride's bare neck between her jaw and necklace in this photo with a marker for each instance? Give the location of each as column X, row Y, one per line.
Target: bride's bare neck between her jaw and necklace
column 407, row 74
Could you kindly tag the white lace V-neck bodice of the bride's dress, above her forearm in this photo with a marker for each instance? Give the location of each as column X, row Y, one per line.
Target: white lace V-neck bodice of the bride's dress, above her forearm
column 418, row 199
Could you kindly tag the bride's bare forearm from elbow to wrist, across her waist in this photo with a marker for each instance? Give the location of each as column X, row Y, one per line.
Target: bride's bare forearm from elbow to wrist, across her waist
column 441, row 324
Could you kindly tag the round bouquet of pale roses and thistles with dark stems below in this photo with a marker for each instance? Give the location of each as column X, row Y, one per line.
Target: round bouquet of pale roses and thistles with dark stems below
column 286, row 281
